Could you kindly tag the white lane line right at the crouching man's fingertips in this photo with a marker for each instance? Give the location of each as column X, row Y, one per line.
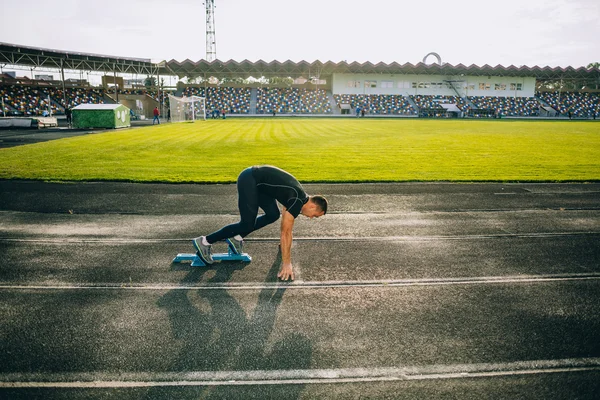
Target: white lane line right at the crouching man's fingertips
column 299, row 284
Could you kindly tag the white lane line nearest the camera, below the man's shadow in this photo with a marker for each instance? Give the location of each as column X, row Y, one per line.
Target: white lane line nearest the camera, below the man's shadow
column 297, row 376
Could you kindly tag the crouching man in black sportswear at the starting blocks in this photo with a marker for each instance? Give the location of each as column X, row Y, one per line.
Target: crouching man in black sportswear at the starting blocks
column 264, row 186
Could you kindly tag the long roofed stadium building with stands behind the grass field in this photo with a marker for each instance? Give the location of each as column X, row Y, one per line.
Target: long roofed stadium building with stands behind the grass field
column 298, row 88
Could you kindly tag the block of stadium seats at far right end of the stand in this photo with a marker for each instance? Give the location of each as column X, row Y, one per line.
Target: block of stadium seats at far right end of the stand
column 580, row 105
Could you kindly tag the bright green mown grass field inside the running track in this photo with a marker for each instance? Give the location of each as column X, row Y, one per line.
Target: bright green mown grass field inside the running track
column 320, row 150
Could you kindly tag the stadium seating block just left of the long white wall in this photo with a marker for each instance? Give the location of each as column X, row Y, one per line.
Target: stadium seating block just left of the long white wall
column 292, row 101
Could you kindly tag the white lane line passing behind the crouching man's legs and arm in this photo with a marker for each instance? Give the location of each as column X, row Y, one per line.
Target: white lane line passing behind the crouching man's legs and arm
column 406, row 238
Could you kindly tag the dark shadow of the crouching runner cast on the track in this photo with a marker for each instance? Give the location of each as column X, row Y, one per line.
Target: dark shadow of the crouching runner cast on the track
column 216, row 334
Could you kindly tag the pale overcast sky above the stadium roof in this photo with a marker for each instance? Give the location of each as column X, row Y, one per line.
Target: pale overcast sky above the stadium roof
column 508, row 32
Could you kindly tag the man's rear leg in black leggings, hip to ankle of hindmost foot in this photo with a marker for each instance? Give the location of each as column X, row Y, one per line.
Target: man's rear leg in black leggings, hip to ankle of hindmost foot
column 248, row 206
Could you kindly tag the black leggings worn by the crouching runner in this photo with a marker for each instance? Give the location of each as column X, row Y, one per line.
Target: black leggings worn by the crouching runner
column 249, row 200
